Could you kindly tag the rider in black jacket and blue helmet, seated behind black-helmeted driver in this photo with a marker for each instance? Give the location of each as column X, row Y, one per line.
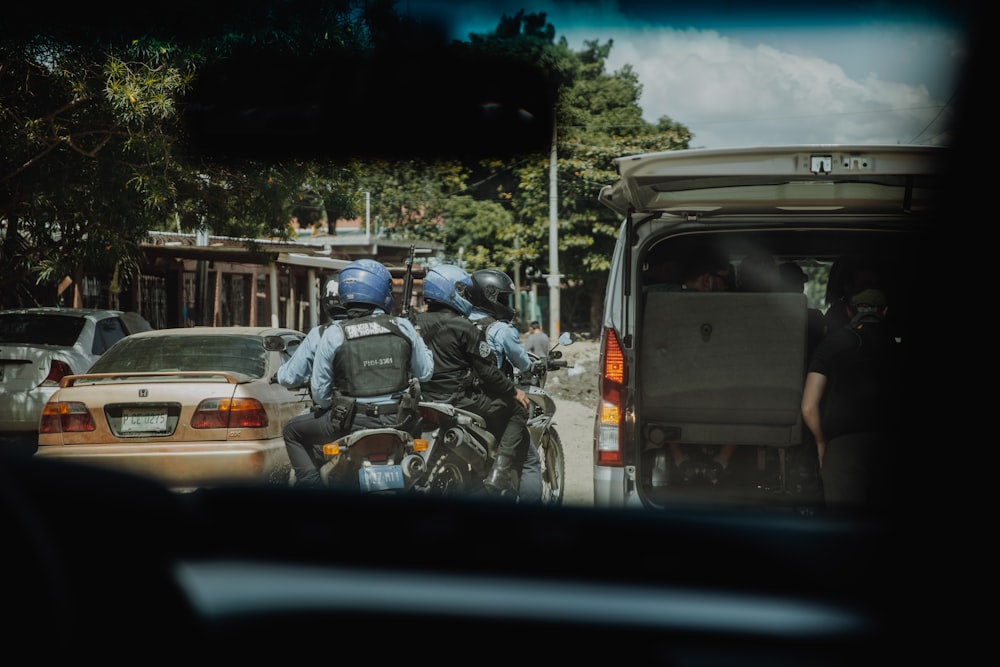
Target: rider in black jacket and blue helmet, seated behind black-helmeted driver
column 466, row 373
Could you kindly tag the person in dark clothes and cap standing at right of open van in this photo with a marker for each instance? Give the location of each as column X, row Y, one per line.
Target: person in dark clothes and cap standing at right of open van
column 850, row 403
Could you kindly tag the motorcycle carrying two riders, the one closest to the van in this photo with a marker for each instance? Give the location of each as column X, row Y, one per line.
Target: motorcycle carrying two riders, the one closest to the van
column 461, row 450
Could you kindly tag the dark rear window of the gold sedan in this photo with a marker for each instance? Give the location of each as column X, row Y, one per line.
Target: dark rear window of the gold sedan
column 236, row 354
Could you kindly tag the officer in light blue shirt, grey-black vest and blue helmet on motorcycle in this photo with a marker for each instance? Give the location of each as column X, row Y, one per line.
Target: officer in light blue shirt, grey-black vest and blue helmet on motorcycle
column 362, row 367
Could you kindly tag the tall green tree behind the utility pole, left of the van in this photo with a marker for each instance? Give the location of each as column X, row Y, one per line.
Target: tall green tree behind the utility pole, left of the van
column 598, row 119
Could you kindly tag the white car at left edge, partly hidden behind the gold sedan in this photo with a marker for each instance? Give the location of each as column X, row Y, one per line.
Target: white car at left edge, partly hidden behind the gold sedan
column 40, row 346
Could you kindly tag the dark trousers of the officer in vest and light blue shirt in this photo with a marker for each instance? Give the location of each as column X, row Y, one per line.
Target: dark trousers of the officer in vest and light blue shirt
column 306, row 434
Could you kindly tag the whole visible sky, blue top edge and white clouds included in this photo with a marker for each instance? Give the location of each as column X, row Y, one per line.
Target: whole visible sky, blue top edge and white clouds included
column 743, row 74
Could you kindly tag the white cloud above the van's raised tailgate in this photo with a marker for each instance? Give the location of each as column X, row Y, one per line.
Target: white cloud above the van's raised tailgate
column 733, row 94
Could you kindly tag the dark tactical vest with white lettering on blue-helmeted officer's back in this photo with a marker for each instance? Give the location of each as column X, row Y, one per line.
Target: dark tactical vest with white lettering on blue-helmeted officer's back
column 374, row 358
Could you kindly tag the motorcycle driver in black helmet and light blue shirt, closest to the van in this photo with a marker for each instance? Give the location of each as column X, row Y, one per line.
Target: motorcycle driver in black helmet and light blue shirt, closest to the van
column 491, row 294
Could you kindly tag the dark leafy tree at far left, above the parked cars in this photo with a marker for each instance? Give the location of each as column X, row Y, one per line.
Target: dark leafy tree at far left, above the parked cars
column 92, row 141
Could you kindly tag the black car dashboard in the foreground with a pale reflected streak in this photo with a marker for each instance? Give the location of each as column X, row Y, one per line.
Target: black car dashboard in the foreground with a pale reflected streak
column 94, row 557
